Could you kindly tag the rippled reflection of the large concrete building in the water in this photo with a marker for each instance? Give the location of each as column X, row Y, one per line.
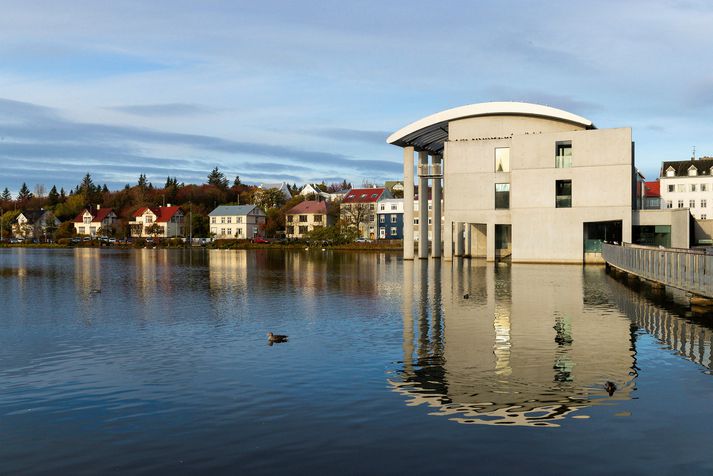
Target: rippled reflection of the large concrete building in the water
column 529, row 345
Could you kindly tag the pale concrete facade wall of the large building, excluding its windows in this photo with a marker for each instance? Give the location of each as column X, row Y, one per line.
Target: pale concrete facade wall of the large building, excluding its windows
column 601, row 175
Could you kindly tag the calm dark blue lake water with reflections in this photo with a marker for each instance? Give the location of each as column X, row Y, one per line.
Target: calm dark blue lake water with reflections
column 389, row 368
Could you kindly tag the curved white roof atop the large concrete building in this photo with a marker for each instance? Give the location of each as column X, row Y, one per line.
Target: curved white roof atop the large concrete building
column 430, row 132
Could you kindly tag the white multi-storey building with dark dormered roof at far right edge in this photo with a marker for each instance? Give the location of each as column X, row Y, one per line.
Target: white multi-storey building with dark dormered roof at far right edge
column 688, row 184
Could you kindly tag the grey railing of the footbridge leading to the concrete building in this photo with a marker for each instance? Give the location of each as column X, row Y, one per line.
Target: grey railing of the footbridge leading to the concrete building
column 689, row 270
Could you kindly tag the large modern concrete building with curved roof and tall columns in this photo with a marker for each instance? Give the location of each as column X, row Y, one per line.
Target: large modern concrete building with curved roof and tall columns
column 524, row 181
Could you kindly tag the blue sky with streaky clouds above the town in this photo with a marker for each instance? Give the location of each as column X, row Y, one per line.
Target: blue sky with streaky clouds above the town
column 306, row 91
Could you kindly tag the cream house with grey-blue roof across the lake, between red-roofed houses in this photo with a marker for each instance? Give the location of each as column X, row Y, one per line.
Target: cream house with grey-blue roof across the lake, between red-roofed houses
column 237, row 221
